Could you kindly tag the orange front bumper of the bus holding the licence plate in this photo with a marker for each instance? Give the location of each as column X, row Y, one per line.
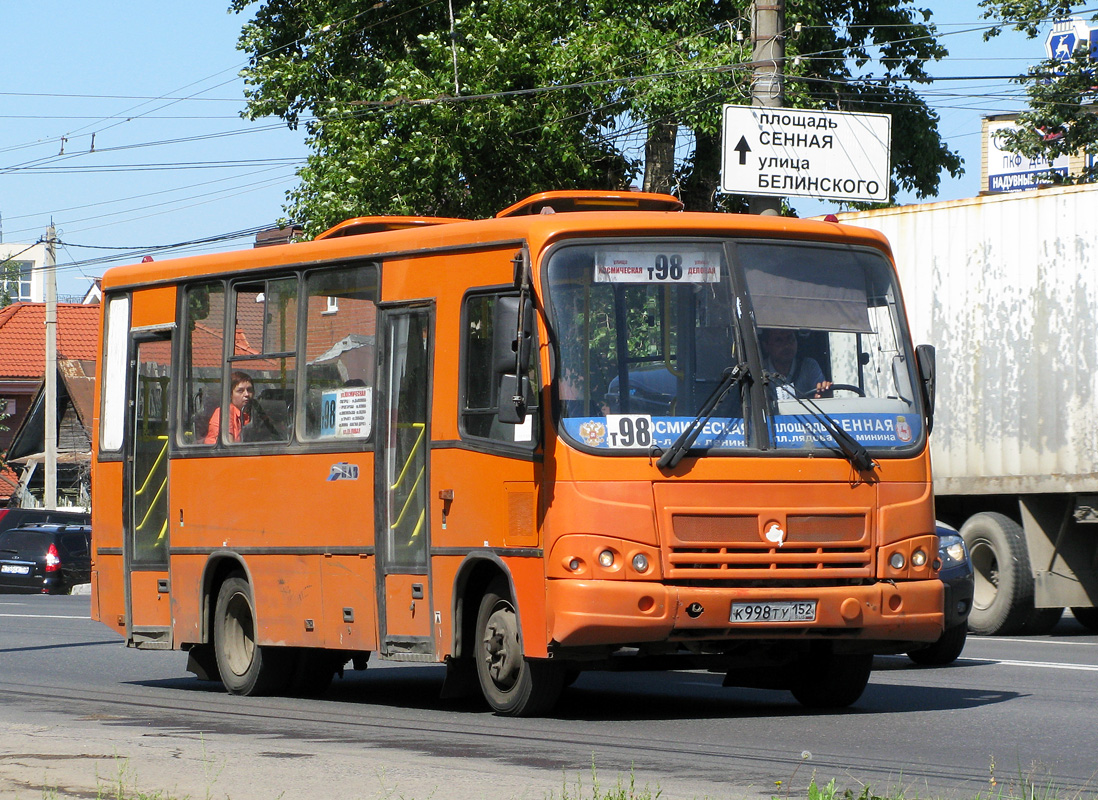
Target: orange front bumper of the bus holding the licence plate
column 624, row 613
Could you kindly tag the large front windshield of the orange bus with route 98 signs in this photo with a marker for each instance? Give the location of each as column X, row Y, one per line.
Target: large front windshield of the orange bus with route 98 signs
column 646, row 331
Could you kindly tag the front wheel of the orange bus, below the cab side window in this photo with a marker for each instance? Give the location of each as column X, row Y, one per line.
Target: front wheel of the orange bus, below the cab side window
column 513, row 685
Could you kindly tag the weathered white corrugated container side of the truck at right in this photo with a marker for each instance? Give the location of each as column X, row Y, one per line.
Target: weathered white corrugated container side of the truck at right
column 1006, row 289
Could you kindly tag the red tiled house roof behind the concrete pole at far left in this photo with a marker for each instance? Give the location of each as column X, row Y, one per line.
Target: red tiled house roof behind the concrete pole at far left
column 24, row 337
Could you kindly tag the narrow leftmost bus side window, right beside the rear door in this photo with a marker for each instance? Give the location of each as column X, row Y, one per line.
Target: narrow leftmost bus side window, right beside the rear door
column 204, row 339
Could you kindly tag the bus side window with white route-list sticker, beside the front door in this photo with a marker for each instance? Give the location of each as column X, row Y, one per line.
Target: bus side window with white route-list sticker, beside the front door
column 341, row 353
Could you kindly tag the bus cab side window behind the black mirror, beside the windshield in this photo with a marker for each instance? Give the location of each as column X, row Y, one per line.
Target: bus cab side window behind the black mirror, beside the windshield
column 480, row 385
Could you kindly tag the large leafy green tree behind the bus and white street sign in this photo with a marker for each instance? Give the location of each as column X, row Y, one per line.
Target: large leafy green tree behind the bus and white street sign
column 411, row 111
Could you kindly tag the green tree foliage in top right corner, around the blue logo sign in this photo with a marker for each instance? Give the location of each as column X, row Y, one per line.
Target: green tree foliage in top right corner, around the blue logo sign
column 1061, row 119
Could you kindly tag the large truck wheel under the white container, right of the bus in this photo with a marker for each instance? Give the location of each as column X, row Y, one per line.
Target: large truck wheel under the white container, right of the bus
column 1003, row 600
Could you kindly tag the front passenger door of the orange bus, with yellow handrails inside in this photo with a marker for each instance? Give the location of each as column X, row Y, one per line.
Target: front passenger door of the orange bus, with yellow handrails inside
column 402, row 464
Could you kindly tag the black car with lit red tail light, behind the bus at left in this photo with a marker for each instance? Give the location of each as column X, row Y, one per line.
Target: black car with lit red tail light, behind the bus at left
column 48, row 559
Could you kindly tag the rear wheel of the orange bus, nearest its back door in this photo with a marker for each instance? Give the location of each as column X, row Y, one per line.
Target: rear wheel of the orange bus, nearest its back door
column 245, row 668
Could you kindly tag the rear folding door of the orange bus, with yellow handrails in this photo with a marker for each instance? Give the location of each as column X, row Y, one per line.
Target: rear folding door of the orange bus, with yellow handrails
column 145, row 545
